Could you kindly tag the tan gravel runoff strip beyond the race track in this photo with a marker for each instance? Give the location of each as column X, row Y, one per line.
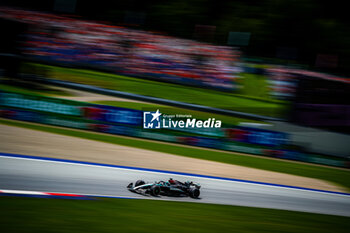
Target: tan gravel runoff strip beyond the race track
column 31, row 142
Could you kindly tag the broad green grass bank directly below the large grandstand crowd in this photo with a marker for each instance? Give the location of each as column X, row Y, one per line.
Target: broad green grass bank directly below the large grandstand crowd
column 168, row 91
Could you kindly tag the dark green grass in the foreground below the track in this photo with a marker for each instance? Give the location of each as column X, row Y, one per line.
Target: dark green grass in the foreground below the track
column 120, row 215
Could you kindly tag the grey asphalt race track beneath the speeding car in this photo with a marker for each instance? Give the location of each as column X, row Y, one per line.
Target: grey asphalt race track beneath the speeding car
column 54, row 176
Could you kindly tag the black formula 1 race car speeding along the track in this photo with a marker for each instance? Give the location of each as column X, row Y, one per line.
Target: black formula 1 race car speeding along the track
column 169, row 188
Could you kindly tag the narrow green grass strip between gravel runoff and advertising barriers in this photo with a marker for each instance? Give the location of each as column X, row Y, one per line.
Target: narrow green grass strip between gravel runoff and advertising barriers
column 337, row 176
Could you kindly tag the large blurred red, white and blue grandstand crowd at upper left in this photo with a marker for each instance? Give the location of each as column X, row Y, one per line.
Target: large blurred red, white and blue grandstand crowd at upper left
column 123, row 50
